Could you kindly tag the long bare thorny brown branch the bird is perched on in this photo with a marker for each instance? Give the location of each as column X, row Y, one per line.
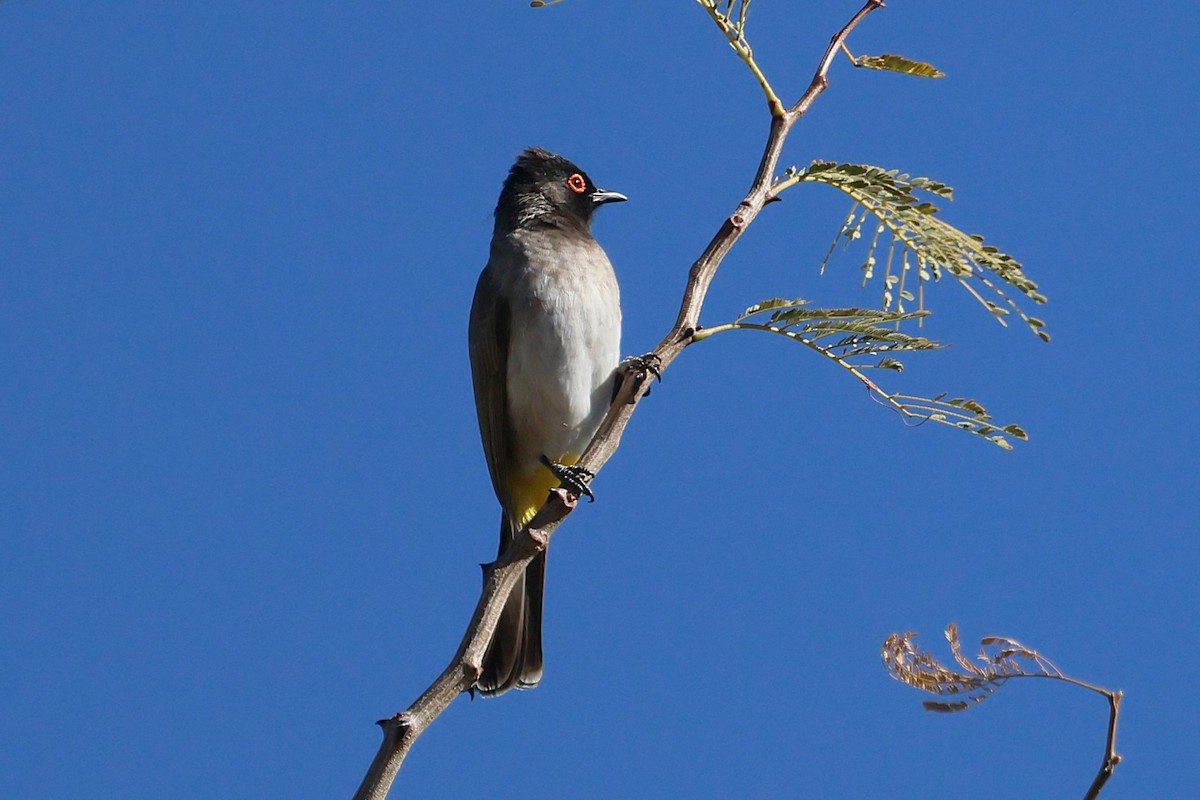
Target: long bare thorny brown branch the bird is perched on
column 401, row 731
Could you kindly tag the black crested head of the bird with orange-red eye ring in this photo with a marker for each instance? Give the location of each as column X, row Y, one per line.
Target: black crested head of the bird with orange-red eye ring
column 543, row 188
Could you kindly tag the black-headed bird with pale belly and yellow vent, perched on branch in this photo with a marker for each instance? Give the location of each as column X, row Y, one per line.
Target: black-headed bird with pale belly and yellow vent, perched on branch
column 545, row 348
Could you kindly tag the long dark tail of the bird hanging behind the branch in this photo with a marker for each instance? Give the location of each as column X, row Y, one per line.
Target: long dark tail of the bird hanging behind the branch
column 514, row 659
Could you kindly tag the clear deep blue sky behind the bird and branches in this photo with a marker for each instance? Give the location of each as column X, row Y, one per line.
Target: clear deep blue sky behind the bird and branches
column 242, row 494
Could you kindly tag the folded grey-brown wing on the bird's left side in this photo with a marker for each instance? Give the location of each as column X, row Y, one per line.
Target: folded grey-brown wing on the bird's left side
column 489, row 339
